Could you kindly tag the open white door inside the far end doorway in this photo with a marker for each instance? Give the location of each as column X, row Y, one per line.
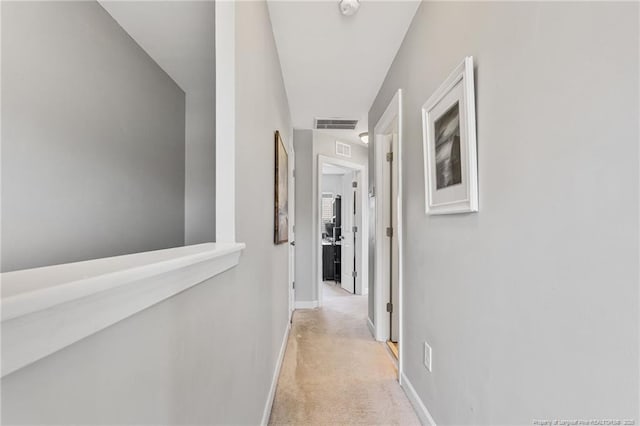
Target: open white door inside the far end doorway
column 346, row 260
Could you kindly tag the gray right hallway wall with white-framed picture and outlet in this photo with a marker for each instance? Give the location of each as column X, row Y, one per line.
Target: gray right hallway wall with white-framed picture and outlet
column 530, row 305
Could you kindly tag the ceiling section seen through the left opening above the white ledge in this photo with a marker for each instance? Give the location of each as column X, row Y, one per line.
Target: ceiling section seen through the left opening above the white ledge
column 178, row 35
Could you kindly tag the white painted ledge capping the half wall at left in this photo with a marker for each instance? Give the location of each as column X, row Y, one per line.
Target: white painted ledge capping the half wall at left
column 47, row 309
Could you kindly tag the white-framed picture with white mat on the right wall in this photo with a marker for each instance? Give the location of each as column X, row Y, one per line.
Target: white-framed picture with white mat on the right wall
column 449, row 143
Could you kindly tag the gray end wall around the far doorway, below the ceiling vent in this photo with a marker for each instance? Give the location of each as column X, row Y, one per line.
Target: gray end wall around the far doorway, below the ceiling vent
column 309, row 144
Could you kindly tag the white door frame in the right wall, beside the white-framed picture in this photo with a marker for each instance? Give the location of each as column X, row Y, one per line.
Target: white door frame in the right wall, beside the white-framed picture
column 382, row 130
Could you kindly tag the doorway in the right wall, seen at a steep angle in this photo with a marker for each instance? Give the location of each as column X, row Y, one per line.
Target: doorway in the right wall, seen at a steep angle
column 387, row 193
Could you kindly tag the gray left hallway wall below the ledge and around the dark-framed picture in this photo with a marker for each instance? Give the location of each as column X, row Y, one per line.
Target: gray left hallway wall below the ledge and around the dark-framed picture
column 207, row 355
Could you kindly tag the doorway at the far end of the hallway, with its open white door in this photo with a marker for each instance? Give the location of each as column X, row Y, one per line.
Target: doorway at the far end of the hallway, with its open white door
column 342, row 234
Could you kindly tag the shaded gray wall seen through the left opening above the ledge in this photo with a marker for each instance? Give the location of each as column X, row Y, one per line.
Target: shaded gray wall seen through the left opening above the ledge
column 92, row 139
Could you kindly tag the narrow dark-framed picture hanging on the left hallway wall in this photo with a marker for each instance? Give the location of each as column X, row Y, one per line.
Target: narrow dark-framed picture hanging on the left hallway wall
column 281, row 193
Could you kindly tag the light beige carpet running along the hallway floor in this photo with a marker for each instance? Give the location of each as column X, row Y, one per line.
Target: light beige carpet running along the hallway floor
column 334, row 372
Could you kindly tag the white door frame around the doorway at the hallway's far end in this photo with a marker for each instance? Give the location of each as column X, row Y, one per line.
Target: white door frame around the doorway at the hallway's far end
column 364, row 232
